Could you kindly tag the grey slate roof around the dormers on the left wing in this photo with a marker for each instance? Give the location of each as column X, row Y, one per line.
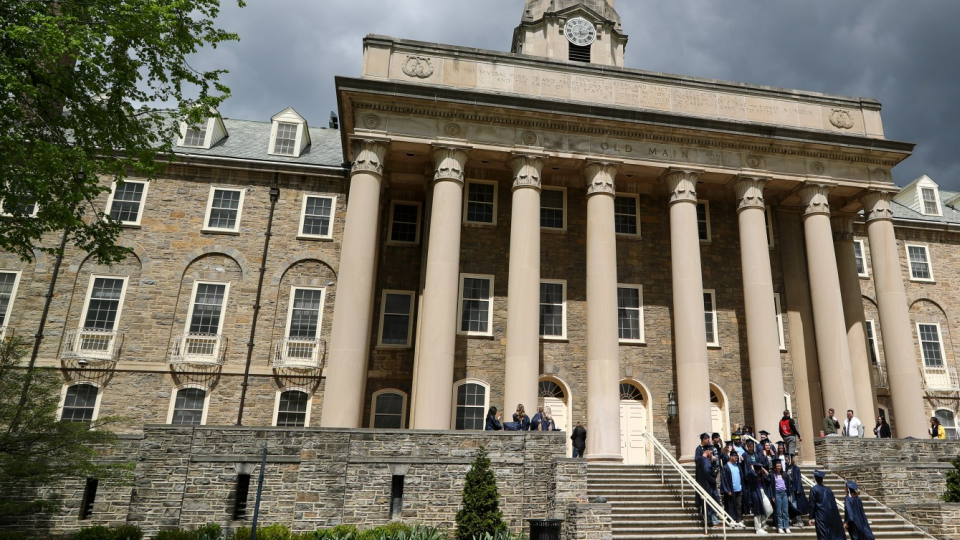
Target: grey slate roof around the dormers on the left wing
column 249, row 139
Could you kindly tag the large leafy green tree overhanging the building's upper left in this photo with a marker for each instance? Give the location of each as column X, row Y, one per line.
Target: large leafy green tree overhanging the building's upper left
column 91, row 89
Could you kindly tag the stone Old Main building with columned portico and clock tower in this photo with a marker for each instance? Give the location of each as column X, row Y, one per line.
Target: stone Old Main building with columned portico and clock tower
column 541, row 226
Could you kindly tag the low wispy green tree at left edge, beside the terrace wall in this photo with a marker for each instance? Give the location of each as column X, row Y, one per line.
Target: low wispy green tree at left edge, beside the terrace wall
column 41, row 451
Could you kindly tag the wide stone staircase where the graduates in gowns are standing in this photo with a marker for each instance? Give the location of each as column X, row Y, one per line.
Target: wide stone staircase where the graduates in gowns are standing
column 645, row 509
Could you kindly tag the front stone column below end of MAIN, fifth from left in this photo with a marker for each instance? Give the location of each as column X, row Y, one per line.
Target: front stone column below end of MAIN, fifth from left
column 690, row 333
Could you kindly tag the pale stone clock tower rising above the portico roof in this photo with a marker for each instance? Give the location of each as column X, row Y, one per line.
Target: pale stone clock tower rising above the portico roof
column 573, row 30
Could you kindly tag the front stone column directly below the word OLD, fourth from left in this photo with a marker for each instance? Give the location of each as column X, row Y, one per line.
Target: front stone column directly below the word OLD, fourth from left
column 603, row 338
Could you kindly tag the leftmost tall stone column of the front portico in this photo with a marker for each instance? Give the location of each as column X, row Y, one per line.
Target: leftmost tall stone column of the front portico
column 346, row 371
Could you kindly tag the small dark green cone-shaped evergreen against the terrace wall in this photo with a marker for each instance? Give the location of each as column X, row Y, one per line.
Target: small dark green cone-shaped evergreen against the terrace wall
column 480, row 514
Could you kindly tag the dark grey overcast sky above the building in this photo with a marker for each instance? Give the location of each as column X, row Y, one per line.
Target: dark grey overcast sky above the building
column 902, row 52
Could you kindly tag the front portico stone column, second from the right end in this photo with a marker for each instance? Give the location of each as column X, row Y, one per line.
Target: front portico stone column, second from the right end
column 828, row 321
